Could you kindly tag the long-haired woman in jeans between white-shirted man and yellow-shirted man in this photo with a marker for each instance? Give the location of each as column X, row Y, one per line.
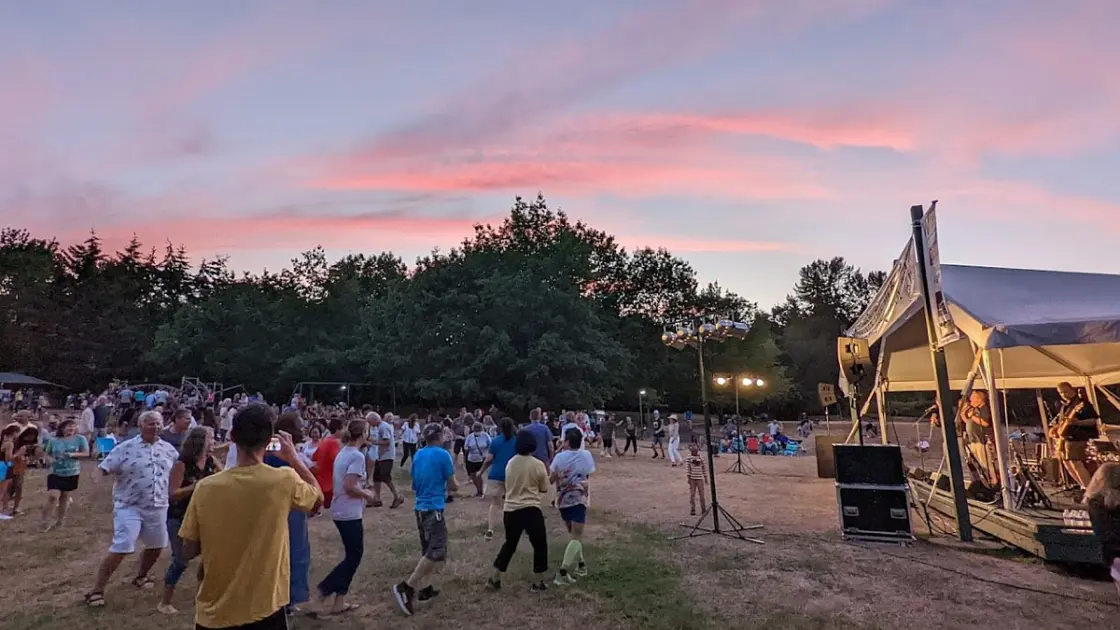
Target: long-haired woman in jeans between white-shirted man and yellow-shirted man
column 195, row 465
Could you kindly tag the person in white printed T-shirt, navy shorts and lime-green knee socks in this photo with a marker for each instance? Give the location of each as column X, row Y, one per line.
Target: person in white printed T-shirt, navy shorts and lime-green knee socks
column 572, row 470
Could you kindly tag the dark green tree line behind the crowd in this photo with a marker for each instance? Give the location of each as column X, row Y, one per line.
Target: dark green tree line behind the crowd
column 539, row 310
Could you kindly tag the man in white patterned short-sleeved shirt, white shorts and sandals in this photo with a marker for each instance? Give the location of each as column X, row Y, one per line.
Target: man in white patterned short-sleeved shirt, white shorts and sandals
column 142, row 471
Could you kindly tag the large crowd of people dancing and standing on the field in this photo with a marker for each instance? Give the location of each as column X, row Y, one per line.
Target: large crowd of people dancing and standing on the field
column 236, row 481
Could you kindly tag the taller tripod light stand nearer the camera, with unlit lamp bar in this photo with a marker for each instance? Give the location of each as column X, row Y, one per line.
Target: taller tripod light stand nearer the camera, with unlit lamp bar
column 695, row 333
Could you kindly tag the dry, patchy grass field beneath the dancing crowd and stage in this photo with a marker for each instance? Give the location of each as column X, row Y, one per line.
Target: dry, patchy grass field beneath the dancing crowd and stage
column 804, row 578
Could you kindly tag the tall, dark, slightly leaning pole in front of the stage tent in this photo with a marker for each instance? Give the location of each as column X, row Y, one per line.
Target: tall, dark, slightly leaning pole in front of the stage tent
column 941, row 374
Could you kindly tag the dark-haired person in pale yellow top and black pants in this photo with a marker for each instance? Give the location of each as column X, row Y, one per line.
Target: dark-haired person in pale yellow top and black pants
column 527, row 481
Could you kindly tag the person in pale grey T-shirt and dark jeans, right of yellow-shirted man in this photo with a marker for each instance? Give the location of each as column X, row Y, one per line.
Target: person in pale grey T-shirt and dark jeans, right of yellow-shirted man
column 347, row 509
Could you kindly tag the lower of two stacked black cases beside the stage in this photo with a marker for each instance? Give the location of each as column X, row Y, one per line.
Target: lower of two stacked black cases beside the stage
column 880, row 514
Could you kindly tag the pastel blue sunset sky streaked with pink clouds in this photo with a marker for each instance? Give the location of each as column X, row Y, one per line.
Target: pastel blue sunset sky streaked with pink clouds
column 749, row 137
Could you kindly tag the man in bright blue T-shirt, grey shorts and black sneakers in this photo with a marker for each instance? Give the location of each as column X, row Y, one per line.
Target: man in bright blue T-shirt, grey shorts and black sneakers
column 433, row 479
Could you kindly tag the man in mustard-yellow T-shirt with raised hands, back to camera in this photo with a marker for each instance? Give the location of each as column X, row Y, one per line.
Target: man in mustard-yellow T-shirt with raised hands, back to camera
column 238, row 521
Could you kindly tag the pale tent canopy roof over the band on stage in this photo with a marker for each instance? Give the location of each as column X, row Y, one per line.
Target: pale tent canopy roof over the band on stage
column 1040, row 328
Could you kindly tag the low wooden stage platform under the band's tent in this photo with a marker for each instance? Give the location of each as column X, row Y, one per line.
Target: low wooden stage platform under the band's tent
column 1039, row 532
